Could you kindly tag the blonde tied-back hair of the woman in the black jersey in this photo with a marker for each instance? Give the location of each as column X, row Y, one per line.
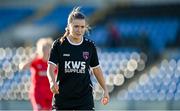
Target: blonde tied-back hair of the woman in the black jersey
column 75, row 14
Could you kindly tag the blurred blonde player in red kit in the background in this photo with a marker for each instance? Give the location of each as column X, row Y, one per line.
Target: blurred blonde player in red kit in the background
column 40, row 94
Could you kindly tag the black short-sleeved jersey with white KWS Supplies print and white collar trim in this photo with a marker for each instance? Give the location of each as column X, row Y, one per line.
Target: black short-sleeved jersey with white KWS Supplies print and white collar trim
column 74, row 62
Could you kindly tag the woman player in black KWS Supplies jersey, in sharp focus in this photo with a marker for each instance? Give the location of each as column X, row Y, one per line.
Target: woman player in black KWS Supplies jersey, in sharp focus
column 74, row 55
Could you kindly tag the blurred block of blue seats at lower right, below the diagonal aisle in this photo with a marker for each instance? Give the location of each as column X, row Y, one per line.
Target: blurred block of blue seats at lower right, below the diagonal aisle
column 161, row 84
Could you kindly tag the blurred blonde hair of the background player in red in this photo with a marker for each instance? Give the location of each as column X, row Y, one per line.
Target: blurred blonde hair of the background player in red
column 42, row 43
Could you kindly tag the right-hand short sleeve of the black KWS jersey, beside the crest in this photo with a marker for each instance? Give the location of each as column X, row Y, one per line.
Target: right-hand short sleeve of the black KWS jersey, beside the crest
column 94, row 62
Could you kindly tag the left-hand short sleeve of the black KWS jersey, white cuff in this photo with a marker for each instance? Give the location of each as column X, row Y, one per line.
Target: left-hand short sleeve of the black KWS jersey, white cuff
column 54, row 53
